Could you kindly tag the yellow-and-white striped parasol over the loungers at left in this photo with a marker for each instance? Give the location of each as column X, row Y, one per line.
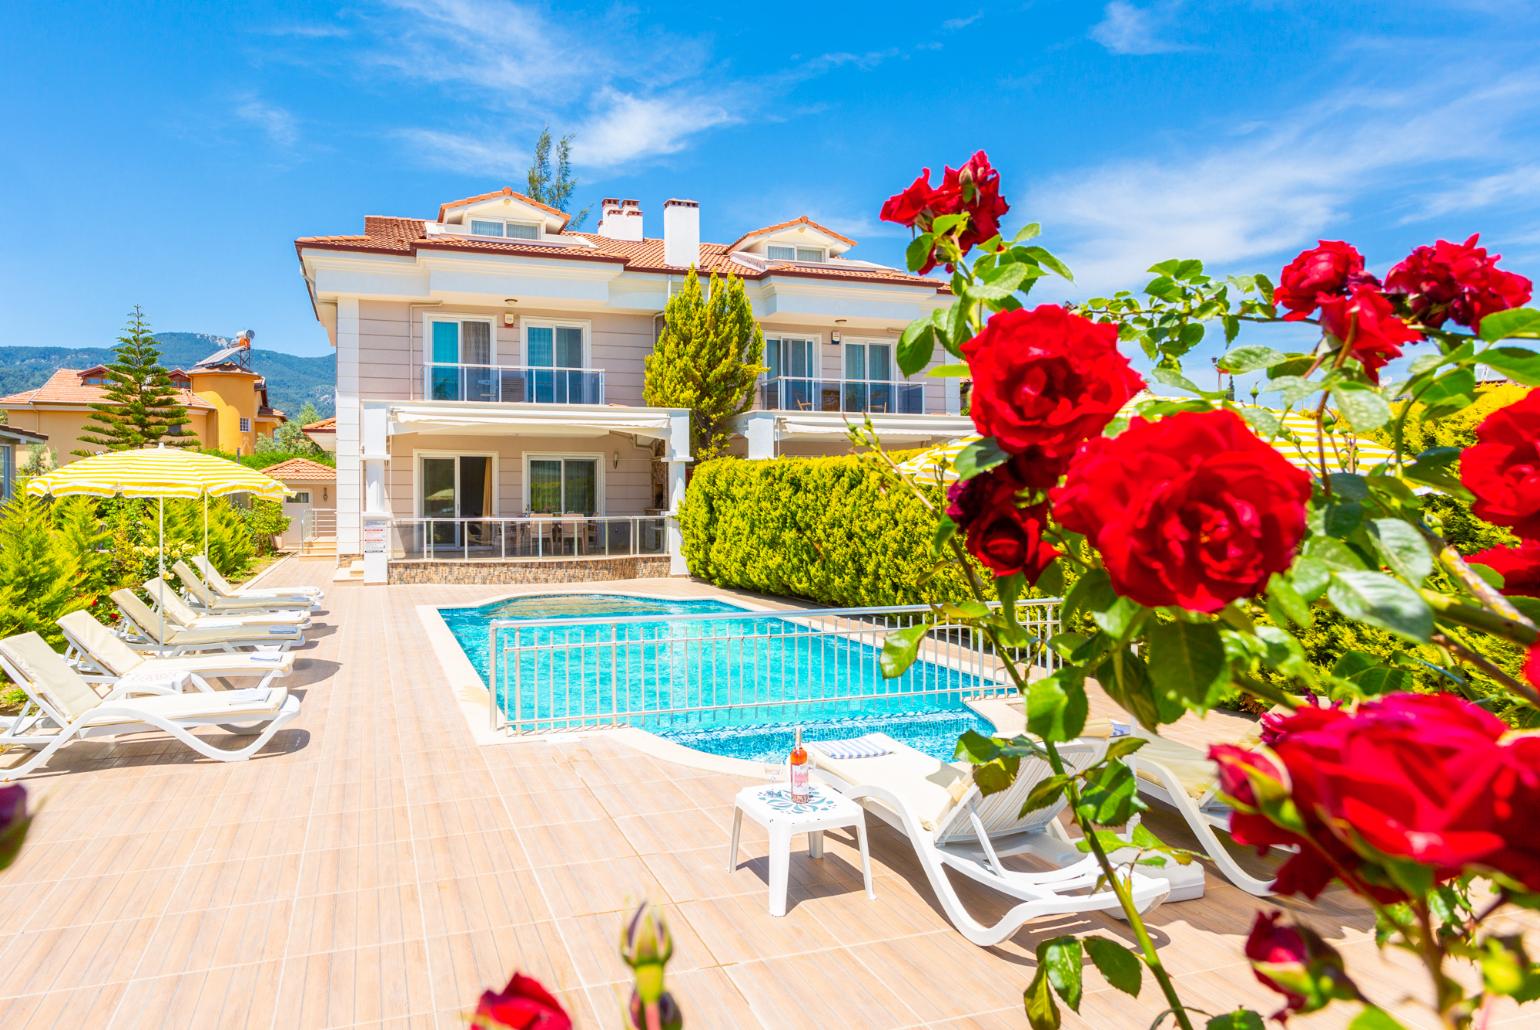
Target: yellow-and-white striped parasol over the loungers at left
column 158, row 472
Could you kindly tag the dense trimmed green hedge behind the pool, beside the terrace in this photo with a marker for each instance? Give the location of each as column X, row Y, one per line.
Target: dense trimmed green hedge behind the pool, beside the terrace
column 834, row 530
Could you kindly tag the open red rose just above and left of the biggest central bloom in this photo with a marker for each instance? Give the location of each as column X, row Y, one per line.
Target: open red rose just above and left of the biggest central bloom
column 1045, row 381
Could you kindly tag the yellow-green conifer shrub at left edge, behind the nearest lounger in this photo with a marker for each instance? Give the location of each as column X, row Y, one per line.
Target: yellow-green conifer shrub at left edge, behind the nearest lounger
column 38, row 578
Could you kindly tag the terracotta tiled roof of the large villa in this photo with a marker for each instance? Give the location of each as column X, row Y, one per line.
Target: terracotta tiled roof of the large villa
column 407, row 236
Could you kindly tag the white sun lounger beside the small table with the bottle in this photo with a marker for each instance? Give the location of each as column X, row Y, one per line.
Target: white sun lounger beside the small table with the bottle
column 956, row 828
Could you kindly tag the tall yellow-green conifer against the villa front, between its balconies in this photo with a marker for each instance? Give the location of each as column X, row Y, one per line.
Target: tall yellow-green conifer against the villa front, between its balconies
column 708, row 359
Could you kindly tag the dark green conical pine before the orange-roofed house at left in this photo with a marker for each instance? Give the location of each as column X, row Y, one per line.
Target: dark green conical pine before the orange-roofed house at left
column 139, row 406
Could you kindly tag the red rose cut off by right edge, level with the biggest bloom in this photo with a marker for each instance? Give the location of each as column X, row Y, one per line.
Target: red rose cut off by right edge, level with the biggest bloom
column 1502, row 469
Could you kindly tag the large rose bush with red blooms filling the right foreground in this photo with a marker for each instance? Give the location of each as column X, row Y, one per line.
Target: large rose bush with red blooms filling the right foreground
column 1197, row 560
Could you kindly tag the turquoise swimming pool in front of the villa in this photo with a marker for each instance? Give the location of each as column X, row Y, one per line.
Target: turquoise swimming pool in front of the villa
column 709, row 675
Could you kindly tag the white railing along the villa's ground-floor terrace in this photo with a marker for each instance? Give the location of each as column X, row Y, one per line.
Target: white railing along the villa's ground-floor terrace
column 430, row 540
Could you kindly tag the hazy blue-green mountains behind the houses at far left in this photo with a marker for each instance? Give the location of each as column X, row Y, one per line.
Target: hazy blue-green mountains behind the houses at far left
column 293, row 380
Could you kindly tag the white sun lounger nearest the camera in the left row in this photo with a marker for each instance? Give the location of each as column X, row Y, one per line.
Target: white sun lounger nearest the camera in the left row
column 64, row 707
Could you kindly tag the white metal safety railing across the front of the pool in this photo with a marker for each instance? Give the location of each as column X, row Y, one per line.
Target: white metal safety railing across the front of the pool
column 740, row 669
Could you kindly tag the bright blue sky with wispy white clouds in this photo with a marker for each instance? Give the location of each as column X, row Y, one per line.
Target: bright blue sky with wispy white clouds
column 169, row 155
